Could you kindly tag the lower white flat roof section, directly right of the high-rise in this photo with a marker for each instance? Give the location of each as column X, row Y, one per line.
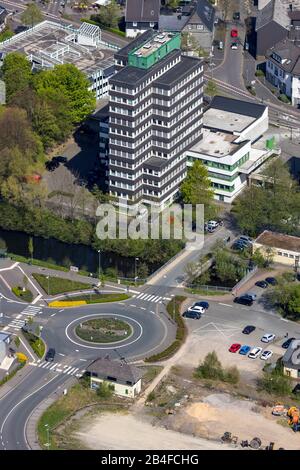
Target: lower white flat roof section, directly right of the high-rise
column 217, row 144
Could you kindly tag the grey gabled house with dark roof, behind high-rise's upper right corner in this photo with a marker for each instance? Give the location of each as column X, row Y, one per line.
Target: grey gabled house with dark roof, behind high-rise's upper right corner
column 201, row 23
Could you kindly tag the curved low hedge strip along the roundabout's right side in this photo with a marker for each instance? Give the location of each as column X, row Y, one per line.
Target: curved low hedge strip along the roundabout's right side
column 181, row 331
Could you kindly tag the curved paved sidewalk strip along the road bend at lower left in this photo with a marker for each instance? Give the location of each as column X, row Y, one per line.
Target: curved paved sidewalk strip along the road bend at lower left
column 30, row 430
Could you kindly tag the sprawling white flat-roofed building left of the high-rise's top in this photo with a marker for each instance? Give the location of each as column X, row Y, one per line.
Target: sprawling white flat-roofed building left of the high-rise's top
column 49, row 43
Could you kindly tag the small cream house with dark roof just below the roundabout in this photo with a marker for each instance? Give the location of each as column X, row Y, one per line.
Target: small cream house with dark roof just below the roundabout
column 125, row 379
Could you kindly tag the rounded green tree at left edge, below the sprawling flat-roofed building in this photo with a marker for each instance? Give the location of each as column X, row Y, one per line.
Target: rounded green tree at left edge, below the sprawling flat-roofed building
column 16, row 73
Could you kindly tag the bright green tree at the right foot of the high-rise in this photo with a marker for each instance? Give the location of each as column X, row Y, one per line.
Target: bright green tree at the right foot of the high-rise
column 196, row 189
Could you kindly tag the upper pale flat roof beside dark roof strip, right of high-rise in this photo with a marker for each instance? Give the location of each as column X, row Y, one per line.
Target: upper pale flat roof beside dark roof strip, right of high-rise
column 226, row 121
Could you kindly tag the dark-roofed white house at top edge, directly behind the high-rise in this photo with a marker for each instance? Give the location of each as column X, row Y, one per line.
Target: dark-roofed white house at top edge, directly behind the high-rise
column 141, row 15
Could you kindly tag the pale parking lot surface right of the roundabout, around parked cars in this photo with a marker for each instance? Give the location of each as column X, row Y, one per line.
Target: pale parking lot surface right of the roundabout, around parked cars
column 221, row 326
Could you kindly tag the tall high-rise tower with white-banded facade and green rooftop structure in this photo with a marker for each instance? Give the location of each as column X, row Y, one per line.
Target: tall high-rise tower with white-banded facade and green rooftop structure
column 155, row 114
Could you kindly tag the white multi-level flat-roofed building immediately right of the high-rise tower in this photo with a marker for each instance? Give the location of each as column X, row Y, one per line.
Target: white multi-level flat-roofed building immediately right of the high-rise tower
column 232, row 146
